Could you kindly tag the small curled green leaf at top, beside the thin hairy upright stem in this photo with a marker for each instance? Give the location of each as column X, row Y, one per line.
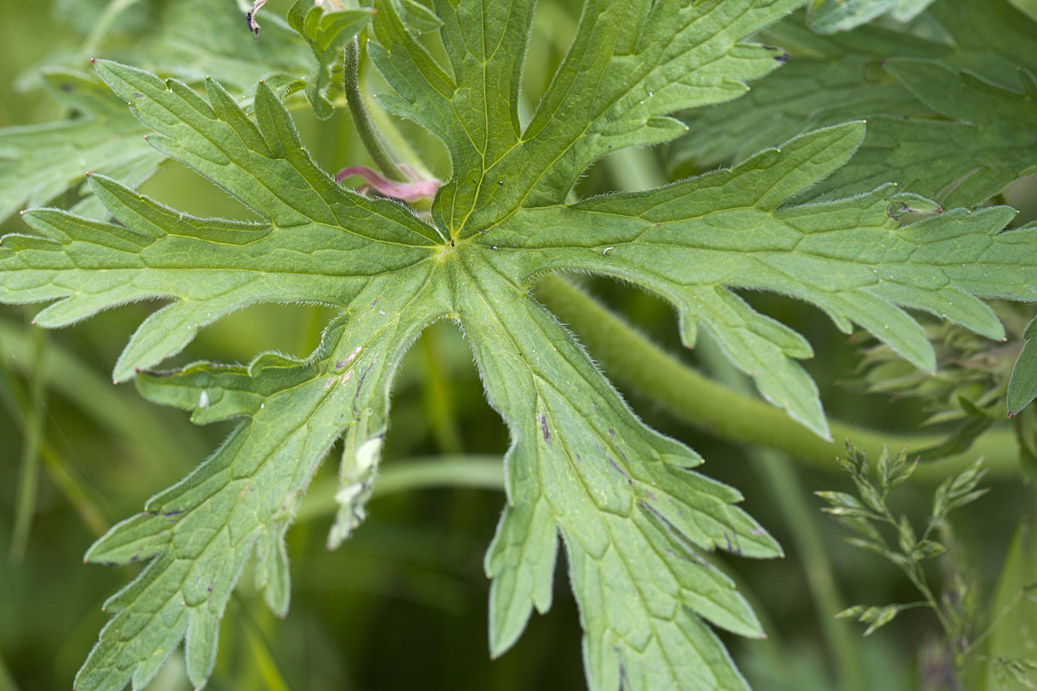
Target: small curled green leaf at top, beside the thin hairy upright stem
column 327, row 33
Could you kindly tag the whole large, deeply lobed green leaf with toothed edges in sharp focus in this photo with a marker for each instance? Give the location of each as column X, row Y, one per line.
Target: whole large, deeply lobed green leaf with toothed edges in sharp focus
column 634, row 516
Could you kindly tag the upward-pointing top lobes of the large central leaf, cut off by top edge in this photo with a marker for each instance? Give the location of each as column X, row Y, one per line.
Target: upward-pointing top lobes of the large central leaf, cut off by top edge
column 629, row 68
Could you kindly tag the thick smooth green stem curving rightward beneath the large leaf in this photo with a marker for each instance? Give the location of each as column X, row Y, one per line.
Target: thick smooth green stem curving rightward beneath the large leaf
column 635, row 363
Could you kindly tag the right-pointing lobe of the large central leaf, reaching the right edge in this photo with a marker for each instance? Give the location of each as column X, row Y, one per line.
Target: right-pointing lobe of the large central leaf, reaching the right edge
column 684, row 244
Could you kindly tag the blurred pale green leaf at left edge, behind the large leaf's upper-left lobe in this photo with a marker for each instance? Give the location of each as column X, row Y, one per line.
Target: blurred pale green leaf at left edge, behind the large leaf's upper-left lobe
column 39, row 163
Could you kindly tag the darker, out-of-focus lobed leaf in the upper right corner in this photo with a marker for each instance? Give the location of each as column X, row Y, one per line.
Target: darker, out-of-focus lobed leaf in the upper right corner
column 935, row 126
